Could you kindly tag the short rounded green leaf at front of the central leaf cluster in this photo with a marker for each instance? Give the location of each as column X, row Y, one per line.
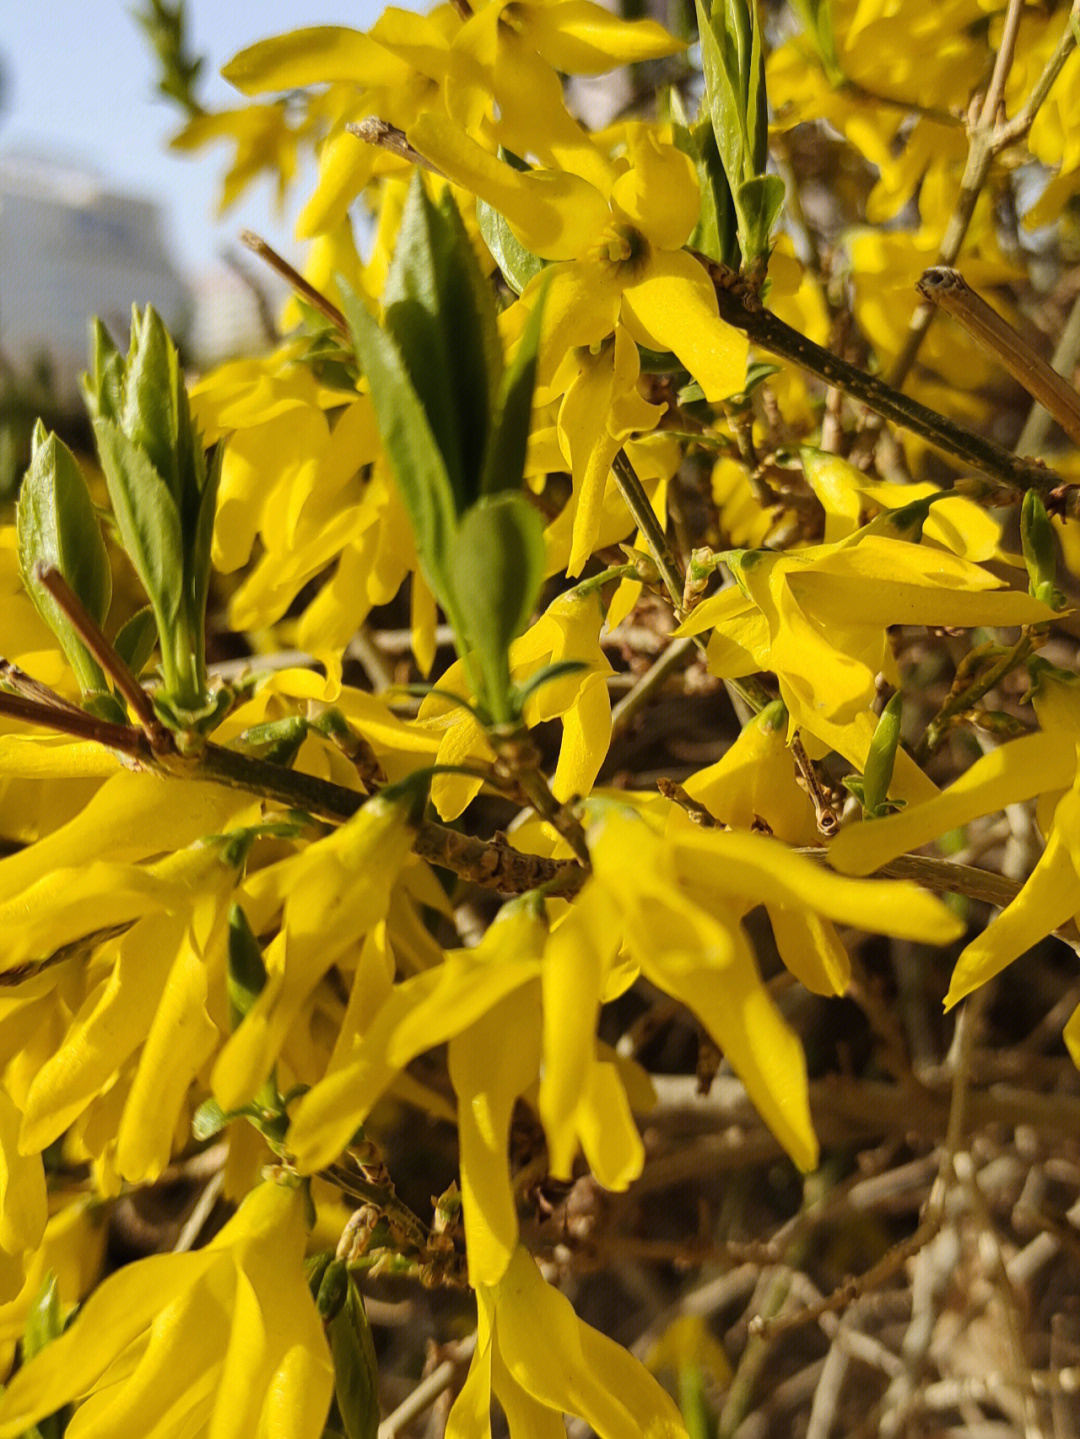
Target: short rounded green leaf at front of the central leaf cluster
column 497, row 572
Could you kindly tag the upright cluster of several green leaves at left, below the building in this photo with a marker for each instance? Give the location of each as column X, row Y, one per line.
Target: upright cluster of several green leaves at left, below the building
column 163, row 497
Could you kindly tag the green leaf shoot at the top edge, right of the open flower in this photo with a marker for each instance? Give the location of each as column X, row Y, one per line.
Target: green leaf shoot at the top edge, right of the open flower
column 734, row 67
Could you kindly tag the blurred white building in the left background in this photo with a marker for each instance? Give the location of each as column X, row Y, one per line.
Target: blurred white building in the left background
column 71, row 250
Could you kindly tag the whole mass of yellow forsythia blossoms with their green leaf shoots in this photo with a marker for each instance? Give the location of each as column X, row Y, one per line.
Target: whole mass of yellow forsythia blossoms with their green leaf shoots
column 258, row 912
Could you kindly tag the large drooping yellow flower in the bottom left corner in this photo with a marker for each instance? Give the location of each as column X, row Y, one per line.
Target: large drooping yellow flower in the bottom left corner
column 224, row 1342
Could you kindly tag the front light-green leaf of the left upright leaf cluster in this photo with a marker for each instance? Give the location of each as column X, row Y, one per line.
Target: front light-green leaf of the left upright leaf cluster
column 147, row 520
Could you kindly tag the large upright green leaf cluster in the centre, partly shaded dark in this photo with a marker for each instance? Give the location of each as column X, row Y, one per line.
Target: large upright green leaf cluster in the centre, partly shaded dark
column 455, row 424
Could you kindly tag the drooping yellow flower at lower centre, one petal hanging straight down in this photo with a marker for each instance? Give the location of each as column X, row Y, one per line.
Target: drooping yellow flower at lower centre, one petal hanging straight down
column 487, row 1004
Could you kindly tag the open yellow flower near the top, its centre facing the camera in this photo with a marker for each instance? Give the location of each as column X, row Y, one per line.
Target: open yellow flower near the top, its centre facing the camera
column 618, row 237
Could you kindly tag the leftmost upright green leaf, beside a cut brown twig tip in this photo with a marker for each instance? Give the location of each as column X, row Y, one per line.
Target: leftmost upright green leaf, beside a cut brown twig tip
column 57, row 527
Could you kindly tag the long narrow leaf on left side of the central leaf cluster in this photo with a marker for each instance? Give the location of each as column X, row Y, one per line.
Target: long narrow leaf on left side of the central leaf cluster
column 409, row 440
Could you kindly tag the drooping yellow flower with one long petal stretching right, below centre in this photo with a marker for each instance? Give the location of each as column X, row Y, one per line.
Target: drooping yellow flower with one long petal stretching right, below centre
column 675, row 902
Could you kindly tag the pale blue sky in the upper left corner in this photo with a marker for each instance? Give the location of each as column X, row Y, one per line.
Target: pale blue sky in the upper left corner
column 80, row 84
